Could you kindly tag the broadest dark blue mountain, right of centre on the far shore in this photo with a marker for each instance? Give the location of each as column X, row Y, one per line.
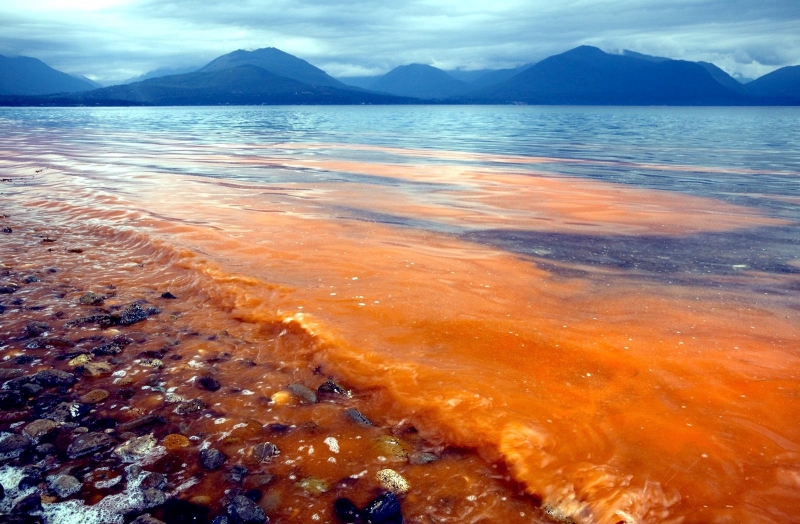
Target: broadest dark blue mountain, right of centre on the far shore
column 586, row 75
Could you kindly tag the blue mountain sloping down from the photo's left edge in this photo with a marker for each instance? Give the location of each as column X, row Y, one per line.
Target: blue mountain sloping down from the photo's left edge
column 23, row 75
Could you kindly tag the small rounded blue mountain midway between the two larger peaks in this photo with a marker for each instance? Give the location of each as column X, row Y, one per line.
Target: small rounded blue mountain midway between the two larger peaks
column 419, row 81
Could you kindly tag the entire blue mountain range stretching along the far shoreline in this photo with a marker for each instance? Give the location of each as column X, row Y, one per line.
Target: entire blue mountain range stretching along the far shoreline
column 584, row 75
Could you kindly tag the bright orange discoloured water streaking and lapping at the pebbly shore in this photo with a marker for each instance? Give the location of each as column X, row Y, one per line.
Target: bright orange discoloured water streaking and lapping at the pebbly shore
column 609, row 398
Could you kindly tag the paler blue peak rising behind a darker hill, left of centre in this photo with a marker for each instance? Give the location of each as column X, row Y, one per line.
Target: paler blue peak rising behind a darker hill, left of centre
column 277, row 62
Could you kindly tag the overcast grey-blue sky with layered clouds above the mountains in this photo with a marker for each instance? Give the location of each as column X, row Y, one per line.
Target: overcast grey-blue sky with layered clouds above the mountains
column 115, row 39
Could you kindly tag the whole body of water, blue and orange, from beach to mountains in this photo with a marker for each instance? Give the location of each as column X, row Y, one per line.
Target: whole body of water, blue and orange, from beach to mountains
column 604, row 301
